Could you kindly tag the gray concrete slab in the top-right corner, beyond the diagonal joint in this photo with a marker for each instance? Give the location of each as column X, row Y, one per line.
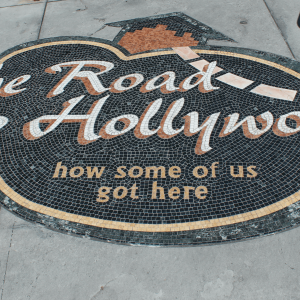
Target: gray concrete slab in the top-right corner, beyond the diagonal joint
column 285, row 14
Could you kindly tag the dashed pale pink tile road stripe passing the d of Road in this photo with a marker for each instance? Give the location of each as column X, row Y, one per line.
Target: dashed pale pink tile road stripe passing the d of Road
column 234, row 80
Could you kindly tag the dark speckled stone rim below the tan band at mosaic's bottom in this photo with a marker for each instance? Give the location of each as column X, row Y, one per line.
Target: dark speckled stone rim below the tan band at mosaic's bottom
column 280, row 221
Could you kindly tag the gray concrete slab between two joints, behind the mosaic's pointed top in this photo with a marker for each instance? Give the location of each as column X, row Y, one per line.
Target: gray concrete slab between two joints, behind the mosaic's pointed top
column 87, row 17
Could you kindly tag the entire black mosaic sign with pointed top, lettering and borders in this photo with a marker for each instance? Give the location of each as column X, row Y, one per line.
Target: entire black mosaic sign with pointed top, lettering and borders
column 154, row 138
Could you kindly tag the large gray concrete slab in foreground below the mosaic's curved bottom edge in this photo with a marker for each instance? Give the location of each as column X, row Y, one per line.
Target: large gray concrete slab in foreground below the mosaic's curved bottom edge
column 47, row 265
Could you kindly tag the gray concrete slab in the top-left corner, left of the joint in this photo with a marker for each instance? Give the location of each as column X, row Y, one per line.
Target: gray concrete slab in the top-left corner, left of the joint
column 19, row 24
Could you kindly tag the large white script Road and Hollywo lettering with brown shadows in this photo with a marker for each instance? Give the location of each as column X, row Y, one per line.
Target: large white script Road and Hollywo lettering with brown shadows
column 32, row 130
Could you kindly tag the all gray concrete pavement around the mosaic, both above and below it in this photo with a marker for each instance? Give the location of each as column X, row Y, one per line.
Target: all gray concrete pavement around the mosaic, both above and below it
column 40, row 264
